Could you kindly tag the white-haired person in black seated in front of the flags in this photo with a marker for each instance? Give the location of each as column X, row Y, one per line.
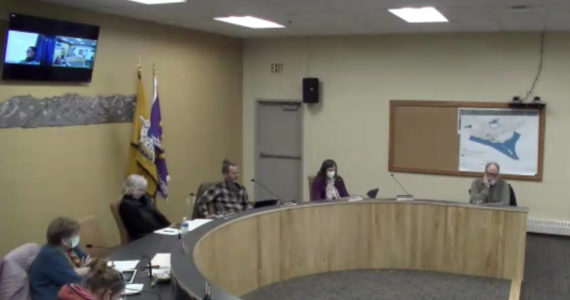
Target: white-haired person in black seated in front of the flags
column 137, row 209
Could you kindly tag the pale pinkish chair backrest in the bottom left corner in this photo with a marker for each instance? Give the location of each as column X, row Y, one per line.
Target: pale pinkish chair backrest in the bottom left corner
column 14, row 268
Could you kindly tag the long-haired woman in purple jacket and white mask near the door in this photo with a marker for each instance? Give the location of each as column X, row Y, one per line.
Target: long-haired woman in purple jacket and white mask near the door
column 328, row 185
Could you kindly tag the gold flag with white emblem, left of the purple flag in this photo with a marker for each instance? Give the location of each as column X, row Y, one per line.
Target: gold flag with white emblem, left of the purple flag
column 141, row 149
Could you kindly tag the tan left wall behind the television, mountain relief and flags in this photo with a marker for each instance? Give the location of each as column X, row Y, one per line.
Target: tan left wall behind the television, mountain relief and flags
column 77, row 171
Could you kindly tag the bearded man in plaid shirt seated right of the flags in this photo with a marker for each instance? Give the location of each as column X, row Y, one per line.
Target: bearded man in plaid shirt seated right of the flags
column 225, row 197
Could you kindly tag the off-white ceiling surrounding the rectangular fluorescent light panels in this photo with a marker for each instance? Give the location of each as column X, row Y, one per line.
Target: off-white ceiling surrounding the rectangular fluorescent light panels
column 336, row 17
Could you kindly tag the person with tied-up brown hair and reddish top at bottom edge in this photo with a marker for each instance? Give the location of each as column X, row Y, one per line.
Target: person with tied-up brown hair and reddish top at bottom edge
column 102, row 282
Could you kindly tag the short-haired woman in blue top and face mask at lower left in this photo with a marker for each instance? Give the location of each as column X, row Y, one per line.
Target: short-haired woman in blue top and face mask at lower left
column 59, row 262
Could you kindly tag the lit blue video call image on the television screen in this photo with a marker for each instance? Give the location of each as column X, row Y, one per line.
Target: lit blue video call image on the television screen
column 30, row 48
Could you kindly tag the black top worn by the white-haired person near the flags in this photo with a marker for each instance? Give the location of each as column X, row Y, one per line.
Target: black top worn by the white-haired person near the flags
column 141, row 216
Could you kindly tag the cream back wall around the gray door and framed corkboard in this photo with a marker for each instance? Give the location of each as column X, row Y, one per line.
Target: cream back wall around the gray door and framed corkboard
column 361, row 74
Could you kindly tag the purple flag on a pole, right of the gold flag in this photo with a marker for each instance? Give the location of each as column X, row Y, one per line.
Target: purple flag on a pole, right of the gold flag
column 156, row 134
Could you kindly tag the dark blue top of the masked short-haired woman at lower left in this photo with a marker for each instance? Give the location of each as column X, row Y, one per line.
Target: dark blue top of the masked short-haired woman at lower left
column 51, row 270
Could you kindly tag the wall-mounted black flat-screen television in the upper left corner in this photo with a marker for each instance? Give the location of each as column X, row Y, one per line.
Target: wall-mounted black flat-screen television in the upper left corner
column 49, row 50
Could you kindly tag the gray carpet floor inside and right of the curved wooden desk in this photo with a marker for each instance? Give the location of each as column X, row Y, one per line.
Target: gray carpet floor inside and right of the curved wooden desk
column 547, row 276
